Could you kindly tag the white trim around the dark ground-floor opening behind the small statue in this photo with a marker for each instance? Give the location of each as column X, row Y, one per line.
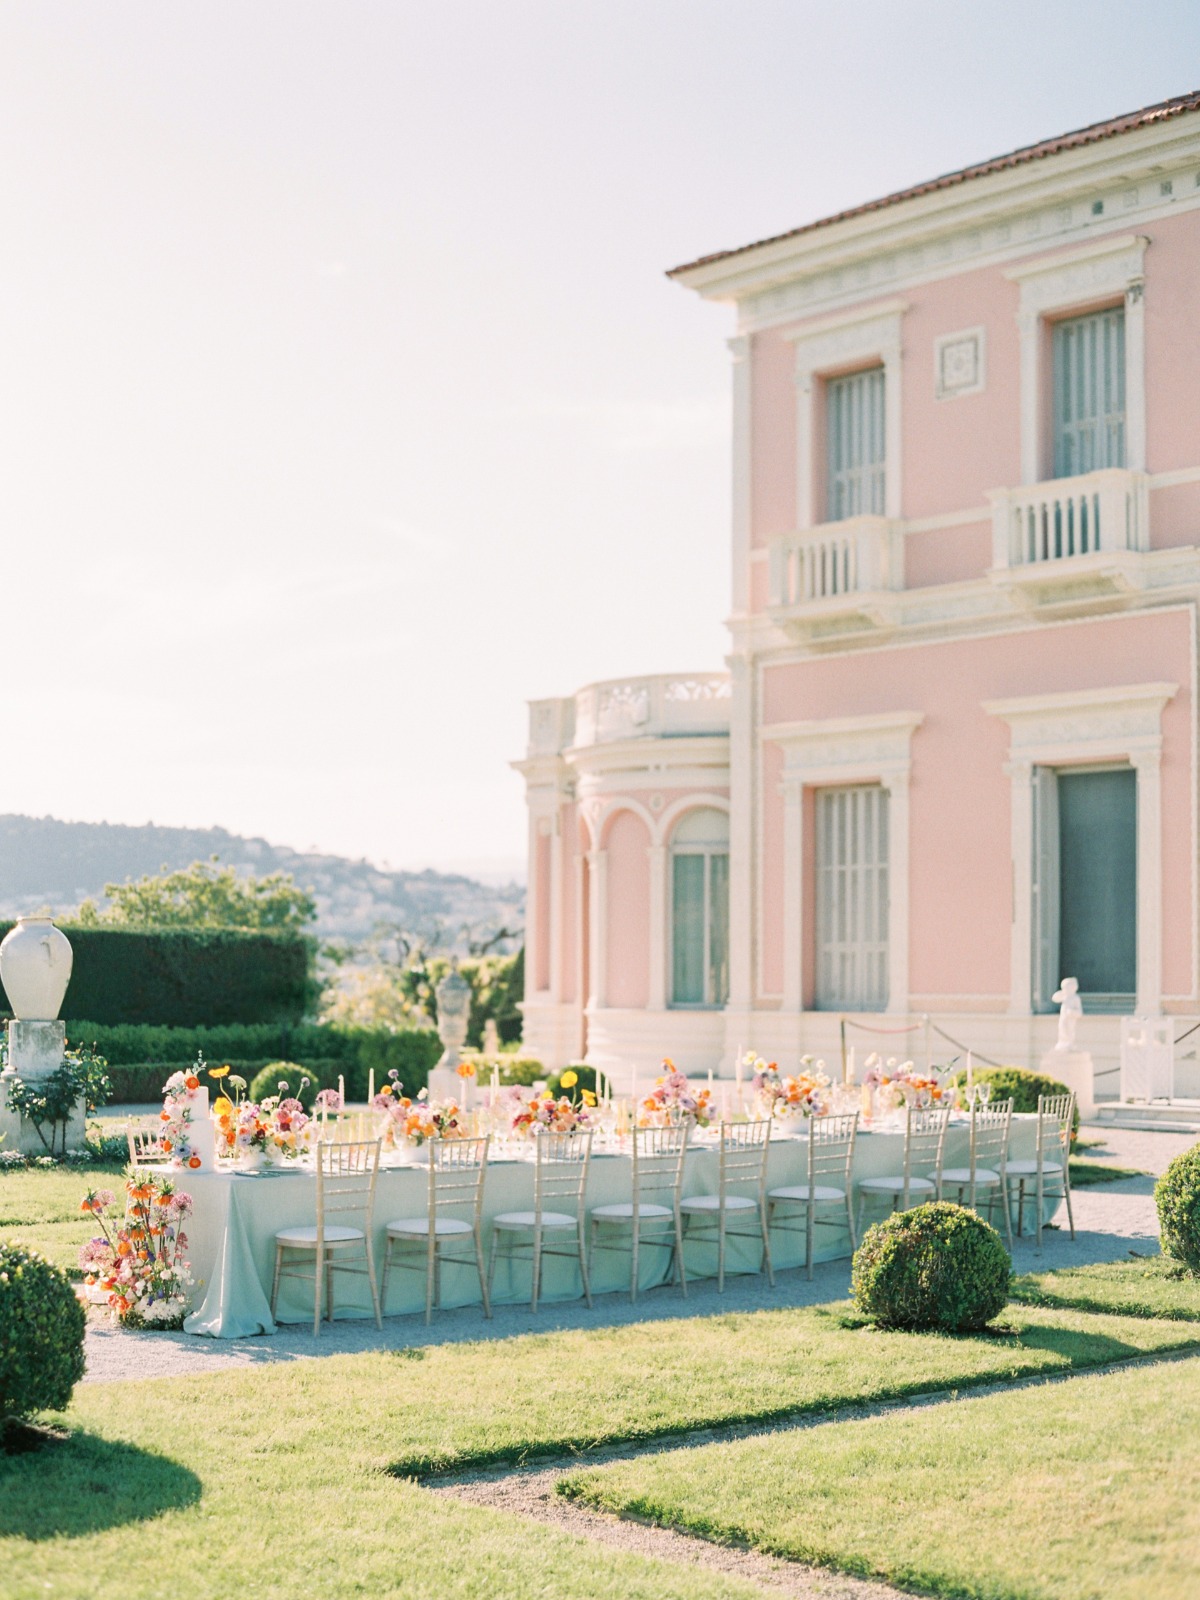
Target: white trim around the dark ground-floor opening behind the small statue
column 1089, row 727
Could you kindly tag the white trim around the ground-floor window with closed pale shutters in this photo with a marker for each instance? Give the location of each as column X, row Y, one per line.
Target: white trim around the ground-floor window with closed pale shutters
column 849, row 751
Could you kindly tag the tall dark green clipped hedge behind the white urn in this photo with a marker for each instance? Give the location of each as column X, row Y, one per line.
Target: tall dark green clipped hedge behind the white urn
column 186, row 977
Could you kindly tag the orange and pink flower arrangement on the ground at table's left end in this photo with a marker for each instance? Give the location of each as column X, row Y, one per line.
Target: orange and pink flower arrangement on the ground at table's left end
column 140, row 1266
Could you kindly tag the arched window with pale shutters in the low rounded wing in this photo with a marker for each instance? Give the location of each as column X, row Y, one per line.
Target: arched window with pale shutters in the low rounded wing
column 700, row 910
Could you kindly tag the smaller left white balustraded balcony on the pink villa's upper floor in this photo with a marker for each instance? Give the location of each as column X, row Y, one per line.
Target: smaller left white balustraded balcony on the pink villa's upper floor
column 839, row 578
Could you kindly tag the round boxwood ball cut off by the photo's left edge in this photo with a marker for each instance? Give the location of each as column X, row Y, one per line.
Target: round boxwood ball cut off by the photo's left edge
column 41, row 1335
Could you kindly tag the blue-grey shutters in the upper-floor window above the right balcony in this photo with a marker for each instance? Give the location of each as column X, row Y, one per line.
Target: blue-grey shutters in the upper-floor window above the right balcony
column 1090, row 393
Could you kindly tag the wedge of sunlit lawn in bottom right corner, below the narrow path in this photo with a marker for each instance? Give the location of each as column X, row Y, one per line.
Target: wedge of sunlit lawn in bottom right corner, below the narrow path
column 1068, row 1492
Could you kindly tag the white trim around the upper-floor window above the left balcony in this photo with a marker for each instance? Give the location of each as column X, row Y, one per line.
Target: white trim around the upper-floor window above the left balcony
column 830, row 348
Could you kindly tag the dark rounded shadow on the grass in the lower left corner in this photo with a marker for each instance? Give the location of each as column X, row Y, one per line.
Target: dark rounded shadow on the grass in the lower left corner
column 66, row 1486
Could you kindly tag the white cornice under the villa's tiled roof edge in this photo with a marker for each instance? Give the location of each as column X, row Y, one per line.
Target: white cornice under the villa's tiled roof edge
column 985, row 222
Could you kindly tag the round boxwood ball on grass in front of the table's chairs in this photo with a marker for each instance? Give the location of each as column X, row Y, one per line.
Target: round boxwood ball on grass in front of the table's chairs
column 938, row 1266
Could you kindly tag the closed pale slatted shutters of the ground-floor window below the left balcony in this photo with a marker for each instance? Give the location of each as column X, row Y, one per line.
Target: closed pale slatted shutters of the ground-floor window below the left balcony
column 852, row 898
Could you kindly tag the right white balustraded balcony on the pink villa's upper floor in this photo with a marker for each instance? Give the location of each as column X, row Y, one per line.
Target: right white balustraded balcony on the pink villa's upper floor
column 1071, row 542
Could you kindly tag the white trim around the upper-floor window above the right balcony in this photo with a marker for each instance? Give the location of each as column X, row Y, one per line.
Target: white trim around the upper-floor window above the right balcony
column 1071, row 281
